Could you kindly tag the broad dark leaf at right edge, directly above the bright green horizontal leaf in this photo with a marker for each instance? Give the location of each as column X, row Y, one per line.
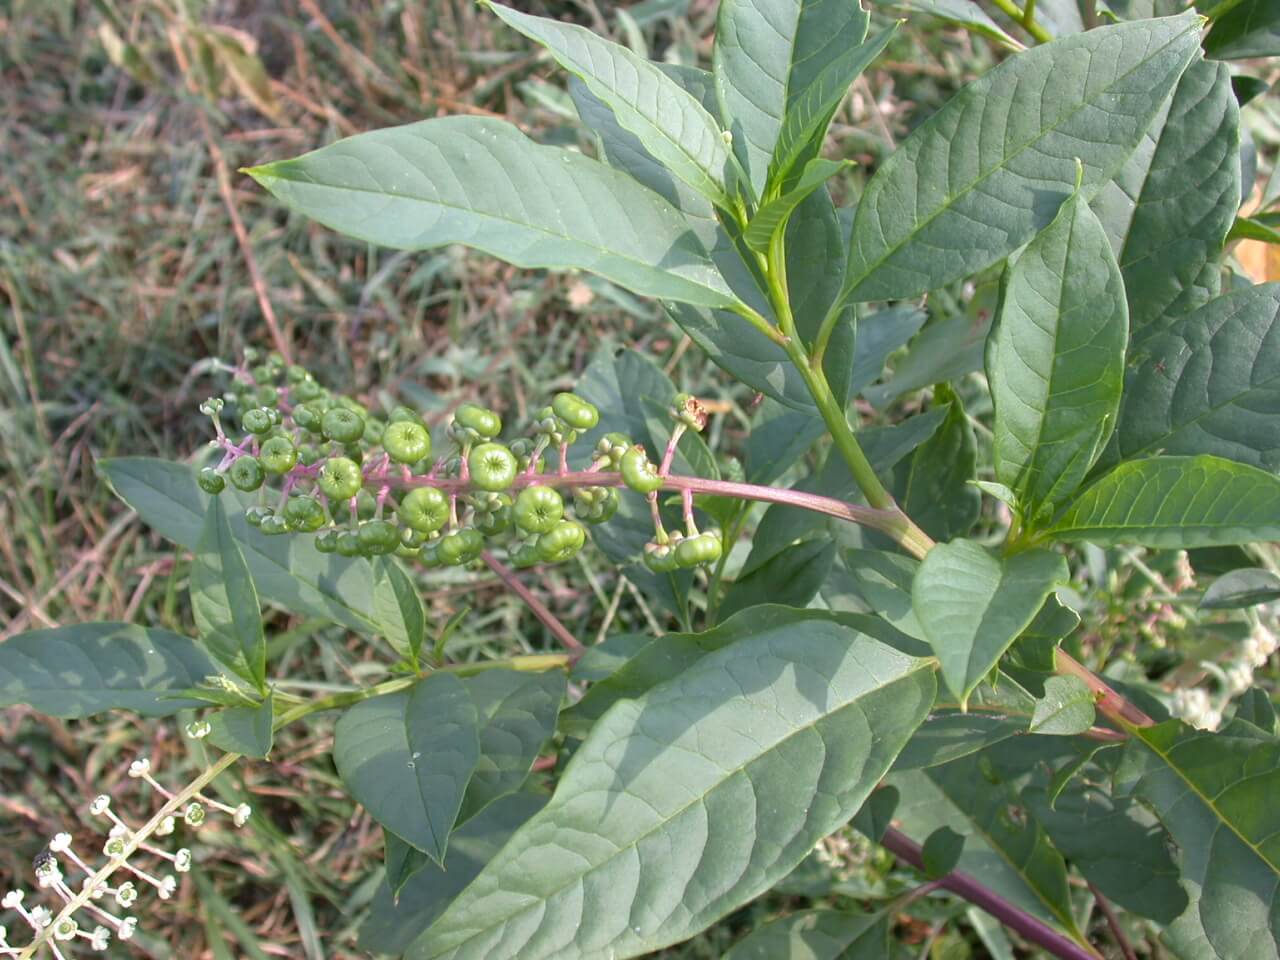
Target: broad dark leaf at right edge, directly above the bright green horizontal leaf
column 1209, row 383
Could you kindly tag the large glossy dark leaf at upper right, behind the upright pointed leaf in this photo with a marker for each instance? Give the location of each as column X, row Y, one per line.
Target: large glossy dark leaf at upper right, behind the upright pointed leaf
column 1169, row 208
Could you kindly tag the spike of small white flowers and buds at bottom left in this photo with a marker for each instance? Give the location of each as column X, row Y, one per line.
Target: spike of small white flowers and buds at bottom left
column 94, row 899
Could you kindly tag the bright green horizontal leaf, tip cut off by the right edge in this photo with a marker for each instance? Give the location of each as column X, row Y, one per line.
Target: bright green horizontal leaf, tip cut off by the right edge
column 1176, row 502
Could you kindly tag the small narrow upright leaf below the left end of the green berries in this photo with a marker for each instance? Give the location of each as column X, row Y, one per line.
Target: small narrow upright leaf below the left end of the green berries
column 225, row 602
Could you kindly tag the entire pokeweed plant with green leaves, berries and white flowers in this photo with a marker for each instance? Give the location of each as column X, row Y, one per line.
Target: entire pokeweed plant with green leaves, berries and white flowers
column 903, row 647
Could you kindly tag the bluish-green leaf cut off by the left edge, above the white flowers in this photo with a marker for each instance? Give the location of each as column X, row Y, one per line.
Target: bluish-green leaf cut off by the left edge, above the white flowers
column 89, row 669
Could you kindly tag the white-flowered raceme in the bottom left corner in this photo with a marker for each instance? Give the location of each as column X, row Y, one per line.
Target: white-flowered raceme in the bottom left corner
column 95, row 889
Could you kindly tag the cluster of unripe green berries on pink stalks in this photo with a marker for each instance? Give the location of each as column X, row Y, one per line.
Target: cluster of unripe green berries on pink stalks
column 369, row 486
